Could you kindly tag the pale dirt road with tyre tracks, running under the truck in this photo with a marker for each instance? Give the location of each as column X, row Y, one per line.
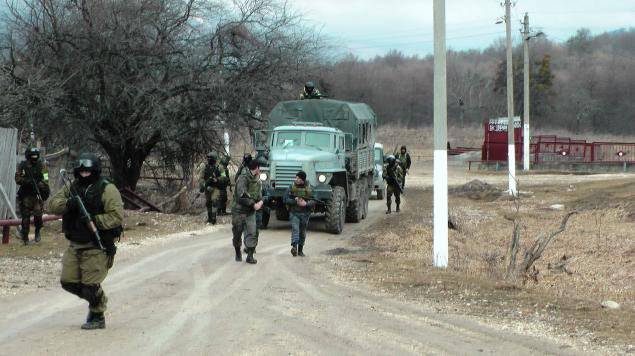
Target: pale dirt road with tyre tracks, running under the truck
column 186, row 295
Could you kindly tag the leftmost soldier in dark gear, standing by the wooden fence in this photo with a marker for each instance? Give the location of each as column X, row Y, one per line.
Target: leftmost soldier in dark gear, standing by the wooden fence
column 32, row 177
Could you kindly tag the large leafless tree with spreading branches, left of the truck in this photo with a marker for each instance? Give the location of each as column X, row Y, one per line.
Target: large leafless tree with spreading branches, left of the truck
column 143, row 76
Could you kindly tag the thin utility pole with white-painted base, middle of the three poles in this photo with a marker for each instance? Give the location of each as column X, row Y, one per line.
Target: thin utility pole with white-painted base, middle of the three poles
column 511, row 147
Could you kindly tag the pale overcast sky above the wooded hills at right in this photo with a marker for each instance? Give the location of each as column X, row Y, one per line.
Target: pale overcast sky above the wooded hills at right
column 372, row 27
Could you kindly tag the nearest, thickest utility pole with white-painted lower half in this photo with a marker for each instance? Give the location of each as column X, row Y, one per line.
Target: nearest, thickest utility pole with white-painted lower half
column 440, row 179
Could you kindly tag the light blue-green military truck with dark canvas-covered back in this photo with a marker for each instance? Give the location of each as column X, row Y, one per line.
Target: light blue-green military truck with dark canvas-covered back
column 332, row 141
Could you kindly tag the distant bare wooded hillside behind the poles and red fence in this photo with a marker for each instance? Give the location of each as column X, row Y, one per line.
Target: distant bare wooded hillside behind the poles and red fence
column 584, row 84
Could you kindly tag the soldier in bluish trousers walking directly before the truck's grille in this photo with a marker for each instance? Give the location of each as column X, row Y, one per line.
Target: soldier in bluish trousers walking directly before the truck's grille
column 299, row 201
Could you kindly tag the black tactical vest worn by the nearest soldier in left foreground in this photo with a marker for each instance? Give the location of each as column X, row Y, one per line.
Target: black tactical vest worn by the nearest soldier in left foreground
column 74, row 229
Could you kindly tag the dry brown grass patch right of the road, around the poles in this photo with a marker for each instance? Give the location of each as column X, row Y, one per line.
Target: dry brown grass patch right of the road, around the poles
column 598, row 242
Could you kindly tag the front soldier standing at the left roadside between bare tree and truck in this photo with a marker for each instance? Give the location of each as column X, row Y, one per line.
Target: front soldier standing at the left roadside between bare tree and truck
column 210, row 179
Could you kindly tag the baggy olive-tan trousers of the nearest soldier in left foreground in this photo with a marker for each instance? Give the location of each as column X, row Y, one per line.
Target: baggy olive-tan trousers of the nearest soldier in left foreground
column 83, row 271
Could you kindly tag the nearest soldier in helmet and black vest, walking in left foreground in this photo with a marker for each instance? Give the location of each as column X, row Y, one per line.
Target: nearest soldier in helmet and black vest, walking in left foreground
column 85, row 265
